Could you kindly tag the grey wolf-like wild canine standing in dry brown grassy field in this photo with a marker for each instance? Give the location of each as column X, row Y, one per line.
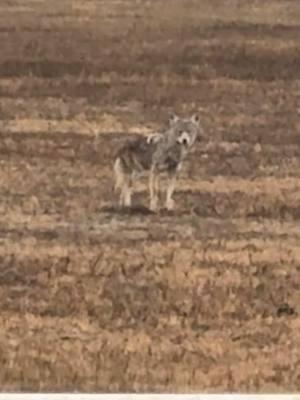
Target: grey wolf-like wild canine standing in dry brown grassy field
column 157, row 153
